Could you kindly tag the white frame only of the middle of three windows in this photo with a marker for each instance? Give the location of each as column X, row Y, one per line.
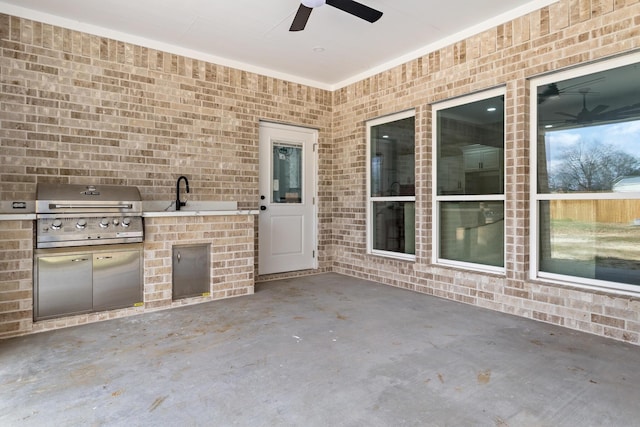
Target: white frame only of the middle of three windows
column 437, row 199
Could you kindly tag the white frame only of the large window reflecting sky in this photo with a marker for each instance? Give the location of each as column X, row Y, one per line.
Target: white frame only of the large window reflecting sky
column 536, row 198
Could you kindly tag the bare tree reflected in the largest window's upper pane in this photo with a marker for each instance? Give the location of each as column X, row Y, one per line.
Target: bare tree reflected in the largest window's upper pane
column 591, row 167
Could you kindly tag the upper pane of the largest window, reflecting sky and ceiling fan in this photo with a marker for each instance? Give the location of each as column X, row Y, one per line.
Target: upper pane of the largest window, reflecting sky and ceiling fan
column 589, row 132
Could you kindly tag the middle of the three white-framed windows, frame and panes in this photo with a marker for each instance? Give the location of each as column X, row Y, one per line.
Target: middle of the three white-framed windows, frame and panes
column 469, row 181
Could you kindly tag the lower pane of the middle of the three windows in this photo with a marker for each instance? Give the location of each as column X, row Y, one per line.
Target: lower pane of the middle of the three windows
column 472, row 232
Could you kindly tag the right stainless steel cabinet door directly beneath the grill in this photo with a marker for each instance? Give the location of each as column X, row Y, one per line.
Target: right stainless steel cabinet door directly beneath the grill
column 117, row 279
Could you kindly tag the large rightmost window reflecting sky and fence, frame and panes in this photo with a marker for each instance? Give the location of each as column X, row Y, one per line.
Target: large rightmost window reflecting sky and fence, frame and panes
column 586, row 182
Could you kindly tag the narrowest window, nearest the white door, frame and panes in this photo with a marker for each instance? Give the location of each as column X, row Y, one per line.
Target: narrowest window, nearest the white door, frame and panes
column 391, row 186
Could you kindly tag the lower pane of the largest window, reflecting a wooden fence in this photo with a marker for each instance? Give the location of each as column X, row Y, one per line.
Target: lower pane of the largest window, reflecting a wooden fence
column 594, row 239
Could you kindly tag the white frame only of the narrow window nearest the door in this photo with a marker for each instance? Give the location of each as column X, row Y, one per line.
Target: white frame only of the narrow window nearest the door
column 371, row 199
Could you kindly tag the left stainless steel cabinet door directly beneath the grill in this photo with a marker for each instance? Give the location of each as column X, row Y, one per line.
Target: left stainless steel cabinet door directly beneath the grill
column 63, row 285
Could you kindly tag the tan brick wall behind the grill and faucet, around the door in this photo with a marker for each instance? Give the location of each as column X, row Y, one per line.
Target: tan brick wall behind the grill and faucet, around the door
column 78, row 108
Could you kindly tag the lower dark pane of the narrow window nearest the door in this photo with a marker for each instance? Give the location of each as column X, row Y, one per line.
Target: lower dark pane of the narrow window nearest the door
column 393, row 228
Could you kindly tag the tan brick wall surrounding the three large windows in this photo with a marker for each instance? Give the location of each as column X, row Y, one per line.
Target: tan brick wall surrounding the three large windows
column 564, row 34
